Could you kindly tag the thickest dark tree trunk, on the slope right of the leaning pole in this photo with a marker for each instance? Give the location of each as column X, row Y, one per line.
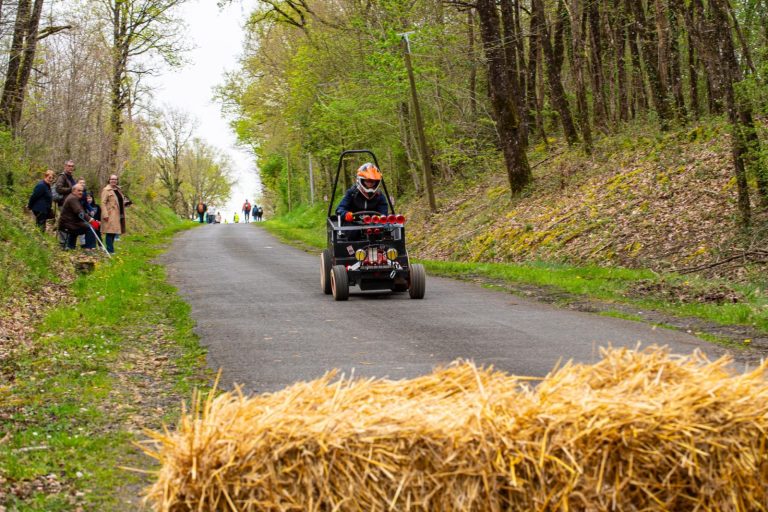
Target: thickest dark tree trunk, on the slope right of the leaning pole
column 502, row 91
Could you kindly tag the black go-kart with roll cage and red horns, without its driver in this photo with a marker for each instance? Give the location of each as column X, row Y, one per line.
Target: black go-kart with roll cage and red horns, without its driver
column 369, row 251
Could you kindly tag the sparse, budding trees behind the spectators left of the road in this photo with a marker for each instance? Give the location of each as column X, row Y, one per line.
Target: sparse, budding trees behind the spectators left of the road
column 74, row 89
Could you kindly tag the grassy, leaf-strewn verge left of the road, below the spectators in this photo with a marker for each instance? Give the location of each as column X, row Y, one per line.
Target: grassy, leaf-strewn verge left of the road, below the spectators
column 74, row 394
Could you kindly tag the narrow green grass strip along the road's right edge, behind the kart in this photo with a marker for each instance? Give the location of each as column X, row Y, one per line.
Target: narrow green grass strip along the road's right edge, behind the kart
column 609, row 284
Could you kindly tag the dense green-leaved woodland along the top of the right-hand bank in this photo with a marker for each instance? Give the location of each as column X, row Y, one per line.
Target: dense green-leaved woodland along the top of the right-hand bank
column 493, row 78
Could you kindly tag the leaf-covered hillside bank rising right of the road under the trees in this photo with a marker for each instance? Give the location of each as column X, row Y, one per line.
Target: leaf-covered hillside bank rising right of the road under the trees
column 665, row 202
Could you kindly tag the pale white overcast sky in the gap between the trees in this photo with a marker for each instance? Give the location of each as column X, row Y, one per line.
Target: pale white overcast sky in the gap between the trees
column 217, row 36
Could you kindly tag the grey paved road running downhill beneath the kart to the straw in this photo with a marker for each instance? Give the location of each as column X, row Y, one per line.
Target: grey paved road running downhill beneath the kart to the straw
column 261, row 313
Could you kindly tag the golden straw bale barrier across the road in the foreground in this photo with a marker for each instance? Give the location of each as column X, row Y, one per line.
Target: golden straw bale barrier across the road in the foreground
column 636, row 431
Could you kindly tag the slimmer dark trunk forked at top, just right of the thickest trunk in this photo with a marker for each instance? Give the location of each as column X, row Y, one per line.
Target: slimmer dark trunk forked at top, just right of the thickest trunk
column 554, row 60
